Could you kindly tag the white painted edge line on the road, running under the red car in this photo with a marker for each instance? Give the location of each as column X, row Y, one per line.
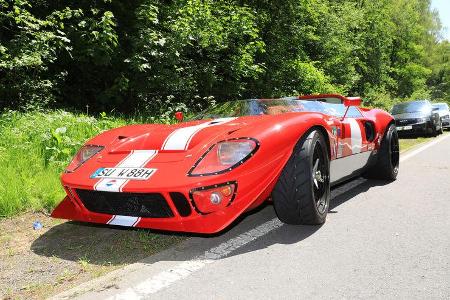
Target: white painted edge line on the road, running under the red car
column 164, row 279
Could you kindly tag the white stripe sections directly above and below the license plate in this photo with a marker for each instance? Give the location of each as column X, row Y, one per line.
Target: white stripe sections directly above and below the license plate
column 136, row 159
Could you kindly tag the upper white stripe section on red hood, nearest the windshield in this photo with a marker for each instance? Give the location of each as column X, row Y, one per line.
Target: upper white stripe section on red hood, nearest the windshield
column 180, row 138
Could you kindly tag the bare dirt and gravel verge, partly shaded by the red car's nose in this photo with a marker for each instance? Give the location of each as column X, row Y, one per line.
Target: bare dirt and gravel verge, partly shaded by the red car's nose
column 39, row 263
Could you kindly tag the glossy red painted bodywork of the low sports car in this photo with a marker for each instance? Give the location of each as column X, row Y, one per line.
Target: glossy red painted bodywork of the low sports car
column 178, row 147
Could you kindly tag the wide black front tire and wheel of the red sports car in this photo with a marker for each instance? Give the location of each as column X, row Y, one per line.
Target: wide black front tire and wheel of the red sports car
column 299, row 197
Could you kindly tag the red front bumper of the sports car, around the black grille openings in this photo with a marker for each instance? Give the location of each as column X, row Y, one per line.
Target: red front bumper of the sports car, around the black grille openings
column 253, row 188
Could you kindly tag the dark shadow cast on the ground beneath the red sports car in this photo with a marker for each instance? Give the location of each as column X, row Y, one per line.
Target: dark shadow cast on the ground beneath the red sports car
column 102, row 244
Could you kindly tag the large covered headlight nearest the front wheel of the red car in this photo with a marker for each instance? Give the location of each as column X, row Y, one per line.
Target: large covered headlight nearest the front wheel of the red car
column 224, row 156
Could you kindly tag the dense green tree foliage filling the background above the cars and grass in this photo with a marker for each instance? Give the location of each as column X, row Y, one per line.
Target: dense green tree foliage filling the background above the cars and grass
column 155, row 56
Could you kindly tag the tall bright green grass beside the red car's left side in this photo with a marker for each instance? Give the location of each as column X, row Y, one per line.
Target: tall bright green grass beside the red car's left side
column 34, row 149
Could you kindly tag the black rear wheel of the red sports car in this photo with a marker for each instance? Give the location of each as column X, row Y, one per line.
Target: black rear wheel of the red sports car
column 388, row 157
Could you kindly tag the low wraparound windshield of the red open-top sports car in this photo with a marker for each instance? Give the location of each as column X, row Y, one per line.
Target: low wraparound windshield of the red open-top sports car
column 256, row 107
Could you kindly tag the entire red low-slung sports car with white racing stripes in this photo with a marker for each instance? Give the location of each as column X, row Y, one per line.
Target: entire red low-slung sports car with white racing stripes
column 200, row 175
